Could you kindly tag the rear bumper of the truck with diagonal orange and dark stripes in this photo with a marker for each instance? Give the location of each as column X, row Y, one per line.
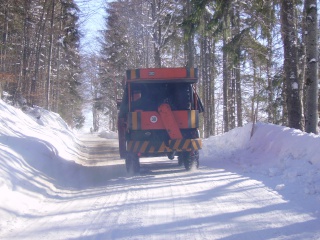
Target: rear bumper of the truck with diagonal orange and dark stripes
column 177, row 145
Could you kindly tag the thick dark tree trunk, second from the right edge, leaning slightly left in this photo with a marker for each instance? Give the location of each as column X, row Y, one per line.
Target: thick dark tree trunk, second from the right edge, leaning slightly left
column 290, row 63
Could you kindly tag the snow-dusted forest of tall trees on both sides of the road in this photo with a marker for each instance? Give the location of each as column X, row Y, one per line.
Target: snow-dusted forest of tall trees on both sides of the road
column 257, row 60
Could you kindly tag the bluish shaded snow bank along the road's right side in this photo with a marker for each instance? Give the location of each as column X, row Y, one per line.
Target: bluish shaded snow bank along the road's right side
column 272, row 151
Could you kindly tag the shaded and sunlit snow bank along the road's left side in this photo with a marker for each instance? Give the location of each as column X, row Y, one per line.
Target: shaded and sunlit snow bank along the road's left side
column 37, row 151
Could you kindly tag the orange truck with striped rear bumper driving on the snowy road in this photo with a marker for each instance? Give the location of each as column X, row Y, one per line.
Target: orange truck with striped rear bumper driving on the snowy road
column 159, row 116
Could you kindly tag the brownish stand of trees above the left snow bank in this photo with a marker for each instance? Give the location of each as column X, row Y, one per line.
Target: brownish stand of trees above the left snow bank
column 39, row 55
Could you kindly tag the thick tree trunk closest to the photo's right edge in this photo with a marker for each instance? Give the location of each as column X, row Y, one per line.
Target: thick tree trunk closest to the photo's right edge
column 312, row 67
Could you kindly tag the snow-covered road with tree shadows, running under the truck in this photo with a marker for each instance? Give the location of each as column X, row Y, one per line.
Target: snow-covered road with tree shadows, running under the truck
column 165, row 202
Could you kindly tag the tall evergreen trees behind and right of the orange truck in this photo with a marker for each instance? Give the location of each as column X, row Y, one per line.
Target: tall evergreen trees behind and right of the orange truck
column 257, row 59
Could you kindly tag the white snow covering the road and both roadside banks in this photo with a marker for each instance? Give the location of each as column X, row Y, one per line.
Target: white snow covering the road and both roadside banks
column 264, row 187
